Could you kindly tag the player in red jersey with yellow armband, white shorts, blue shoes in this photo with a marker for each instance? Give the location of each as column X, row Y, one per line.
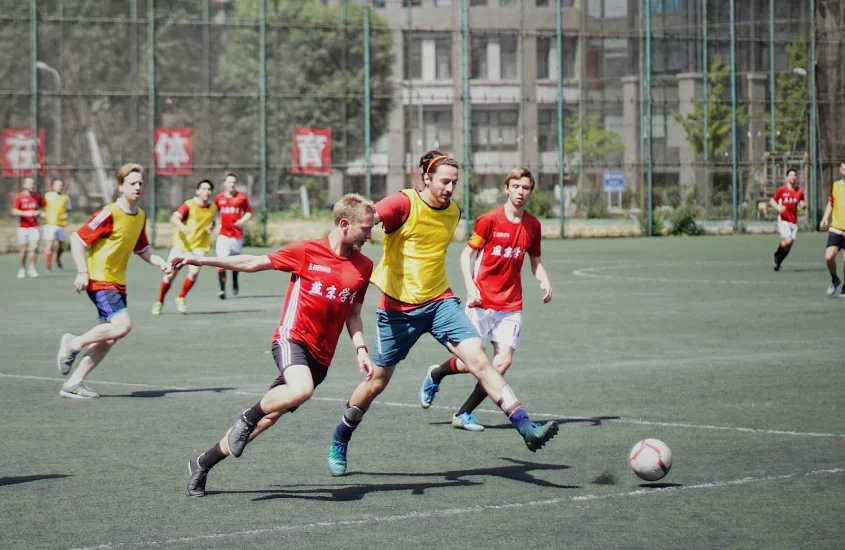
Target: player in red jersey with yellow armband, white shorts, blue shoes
column 501, row 239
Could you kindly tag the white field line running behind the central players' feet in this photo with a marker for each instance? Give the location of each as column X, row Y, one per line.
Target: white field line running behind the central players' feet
column 536, row 414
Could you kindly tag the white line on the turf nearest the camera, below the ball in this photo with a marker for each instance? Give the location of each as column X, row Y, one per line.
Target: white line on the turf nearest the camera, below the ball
column 458, row 511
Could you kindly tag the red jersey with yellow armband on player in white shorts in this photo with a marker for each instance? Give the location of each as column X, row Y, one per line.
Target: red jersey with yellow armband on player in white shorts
column 502, row 245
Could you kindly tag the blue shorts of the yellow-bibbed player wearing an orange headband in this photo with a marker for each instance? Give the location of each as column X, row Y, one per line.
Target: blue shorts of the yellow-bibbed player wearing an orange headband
column 398, row 331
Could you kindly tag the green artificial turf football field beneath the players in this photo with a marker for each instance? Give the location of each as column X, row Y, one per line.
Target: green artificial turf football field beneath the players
column 694, row 341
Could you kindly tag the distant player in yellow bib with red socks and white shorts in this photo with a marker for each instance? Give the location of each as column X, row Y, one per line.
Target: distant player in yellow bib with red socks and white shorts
column 194, row 221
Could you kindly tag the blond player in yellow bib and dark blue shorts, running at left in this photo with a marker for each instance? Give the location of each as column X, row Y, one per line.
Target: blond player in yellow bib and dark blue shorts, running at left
column 111, row 236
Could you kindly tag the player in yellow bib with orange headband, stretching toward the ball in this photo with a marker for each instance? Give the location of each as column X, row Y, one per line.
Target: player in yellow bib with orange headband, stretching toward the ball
column 418, row 227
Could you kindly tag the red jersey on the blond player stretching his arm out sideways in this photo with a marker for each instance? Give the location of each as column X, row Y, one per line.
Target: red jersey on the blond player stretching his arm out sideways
column 323, row 286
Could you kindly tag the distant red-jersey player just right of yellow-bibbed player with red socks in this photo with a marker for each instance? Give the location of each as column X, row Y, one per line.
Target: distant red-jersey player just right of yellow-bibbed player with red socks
column 233, row 208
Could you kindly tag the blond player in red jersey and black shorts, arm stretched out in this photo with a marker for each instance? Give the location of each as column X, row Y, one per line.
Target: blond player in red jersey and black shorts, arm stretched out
column 329, row 279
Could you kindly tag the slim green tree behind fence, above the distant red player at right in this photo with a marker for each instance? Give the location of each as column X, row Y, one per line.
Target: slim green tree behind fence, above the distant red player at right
column 791, row 96
